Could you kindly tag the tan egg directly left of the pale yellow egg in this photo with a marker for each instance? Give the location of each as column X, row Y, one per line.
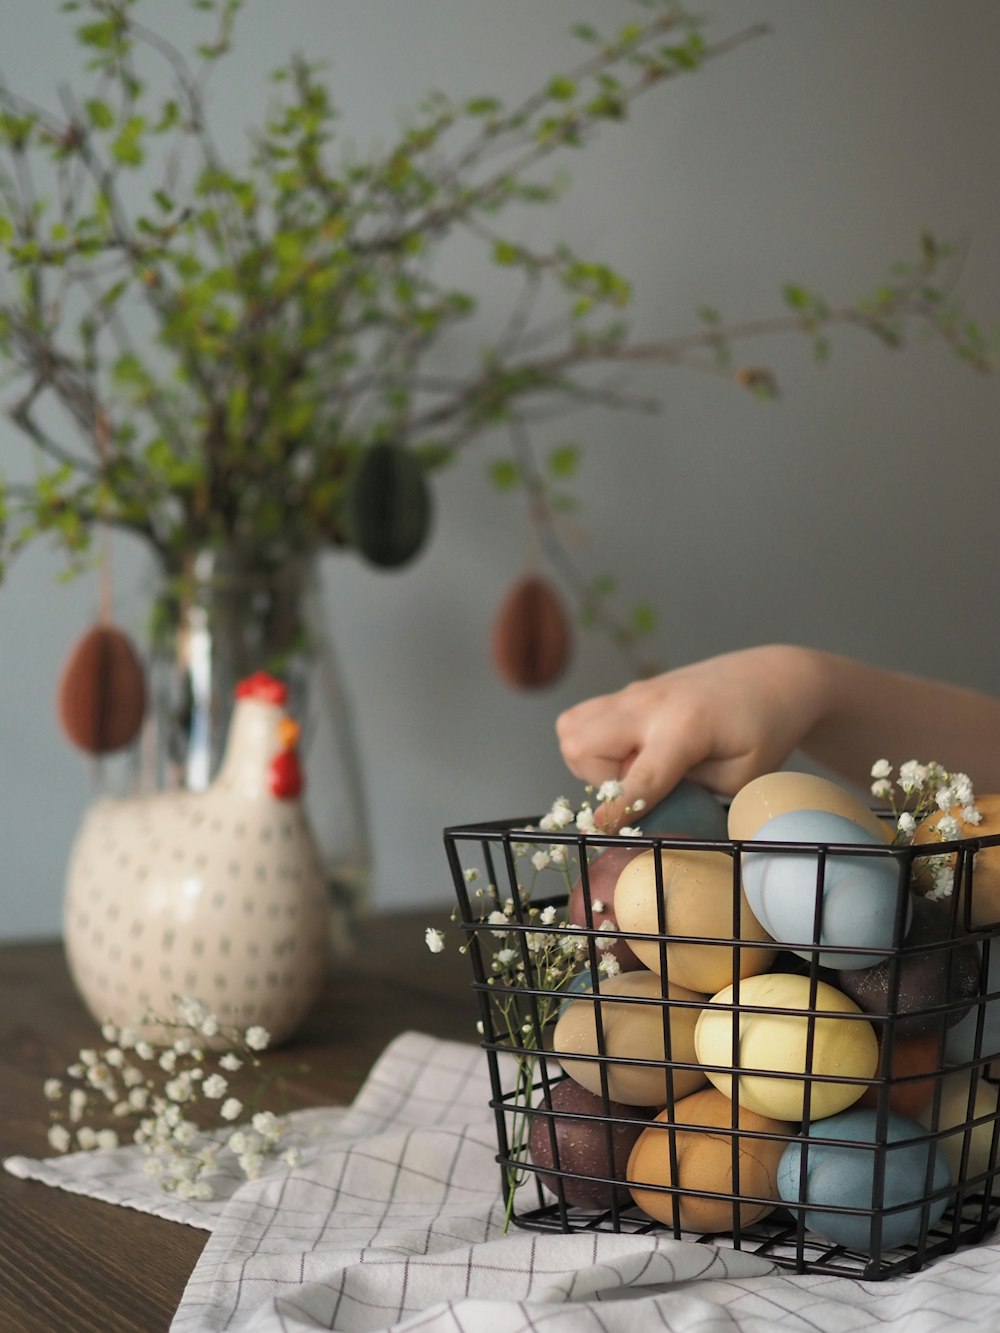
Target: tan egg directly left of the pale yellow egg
column 633, row 1031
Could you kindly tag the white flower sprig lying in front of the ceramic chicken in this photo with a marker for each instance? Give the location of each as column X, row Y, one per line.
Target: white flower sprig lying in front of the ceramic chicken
column 154, row 1091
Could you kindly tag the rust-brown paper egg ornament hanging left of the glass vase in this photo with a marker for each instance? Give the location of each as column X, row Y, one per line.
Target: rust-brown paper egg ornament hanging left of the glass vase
column 102, row 692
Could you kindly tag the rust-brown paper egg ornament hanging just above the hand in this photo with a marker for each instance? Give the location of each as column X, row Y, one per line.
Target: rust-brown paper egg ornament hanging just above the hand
column 531, row 642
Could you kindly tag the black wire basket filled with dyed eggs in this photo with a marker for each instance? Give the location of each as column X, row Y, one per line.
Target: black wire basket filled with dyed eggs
column 875, row 1164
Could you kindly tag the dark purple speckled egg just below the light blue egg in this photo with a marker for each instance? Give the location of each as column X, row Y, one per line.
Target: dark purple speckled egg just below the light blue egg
column 925, row 976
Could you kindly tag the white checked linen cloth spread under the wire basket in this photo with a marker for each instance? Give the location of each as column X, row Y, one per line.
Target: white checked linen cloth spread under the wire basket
column 394, row 1222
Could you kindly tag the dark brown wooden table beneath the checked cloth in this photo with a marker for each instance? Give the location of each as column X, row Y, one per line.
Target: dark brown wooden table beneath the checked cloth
column 70, row 1263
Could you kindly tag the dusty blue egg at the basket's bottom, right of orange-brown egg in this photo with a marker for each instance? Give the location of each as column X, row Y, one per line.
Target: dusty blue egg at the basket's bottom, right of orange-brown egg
column 842, row 1176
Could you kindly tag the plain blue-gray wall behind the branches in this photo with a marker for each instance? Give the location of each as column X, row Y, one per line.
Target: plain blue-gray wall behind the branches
column 857, row 514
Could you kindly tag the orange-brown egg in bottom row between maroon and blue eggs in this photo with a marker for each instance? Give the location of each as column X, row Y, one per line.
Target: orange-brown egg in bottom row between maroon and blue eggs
column 706, row 1166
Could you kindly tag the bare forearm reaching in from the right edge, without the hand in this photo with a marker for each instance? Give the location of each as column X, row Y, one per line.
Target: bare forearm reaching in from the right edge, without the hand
column 865, row 714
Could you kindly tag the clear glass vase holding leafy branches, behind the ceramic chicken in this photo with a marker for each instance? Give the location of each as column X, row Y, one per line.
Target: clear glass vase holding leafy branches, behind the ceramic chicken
column 226, row 618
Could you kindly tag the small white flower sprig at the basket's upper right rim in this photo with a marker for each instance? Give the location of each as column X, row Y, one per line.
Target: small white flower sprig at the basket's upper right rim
column 919, row 792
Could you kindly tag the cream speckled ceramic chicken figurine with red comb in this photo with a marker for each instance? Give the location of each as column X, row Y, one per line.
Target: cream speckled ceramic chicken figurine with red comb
column 217, row 895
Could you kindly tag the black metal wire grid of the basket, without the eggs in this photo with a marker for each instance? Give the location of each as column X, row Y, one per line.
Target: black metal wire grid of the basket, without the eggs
column 487, row 863
